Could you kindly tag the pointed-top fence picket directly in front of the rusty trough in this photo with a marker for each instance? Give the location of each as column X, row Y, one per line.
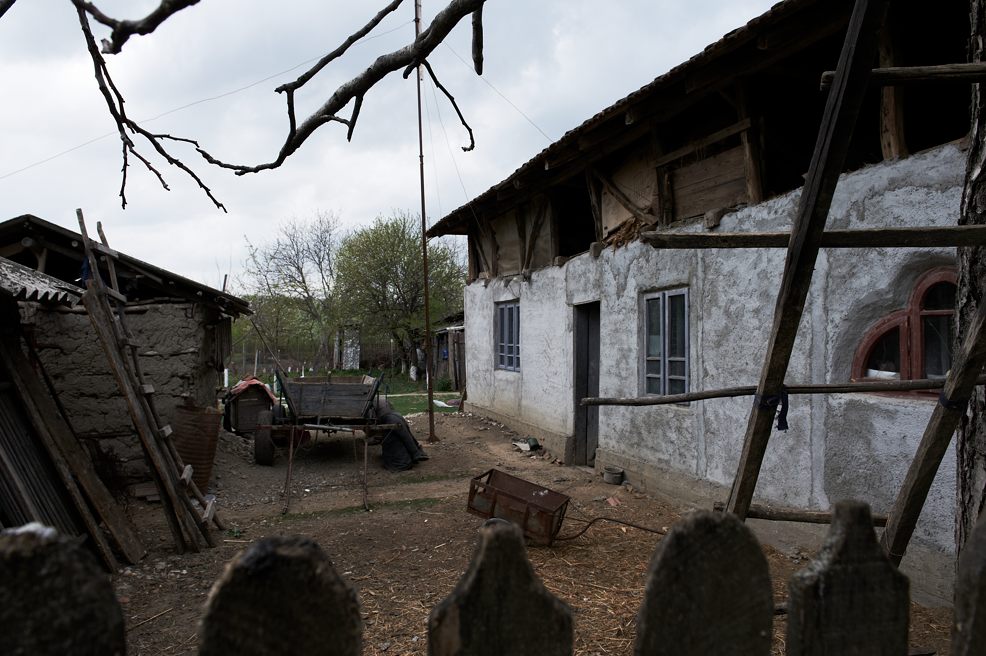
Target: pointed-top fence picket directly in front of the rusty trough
column 499, row 606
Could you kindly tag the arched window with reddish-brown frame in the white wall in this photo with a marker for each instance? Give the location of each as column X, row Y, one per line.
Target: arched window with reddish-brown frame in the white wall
column 914, row 342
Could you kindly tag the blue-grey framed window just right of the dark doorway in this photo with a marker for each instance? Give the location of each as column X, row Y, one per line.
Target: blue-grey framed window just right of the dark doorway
column 665, row 342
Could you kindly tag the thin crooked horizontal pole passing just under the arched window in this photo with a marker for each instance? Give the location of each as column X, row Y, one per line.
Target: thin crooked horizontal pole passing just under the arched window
column 750, row 390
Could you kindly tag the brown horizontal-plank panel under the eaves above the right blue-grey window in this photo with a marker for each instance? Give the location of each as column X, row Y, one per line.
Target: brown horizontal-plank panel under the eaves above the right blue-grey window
column 709, row 184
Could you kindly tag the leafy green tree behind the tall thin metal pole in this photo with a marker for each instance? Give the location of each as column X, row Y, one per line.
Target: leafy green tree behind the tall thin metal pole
column 380, row 281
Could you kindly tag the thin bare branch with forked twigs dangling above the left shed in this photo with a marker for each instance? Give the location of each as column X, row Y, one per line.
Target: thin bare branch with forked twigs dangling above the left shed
column 115, row 104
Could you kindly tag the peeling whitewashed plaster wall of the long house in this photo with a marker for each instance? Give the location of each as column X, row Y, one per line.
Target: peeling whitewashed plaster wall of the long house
column 835, row 444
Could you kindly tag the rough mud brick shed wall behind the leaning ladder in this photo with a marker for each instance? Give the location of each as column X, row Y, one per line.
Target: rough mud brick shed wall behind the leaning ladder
column 178, row 356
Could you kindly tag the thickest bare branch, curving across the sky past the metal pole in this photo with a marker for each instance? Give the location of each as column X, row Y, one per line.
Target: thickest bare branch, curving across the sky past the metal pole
column 407, row 57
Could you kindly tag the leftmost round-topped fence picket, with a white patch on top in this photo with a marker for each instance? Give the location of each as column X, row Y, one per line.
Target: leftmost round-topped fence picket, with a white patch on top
column 55, row 598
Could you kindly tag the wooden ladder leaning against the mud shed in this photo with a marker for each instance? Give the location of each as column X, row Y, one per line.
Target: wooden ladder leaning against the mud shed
column 173, row 479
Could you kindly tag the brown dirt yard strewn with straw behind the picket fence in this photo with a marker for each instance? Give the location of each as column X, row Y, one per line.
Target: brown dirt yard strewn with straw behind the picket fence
column 408, row 552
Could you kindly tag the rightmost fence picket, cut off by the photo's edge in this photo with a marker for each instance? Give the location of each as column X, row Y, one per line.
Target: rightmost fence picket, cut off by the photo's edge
column 969, row 629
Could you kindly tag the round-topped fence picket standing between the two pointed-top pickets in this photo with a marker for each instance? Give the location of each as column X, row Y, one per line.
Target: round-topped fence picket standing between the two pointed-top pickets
column 708, row 591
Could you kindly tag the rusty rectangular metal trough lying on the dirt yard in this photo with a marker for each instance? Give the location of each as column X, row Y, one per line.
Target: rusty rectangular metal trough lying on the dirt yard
column 537, row 510
